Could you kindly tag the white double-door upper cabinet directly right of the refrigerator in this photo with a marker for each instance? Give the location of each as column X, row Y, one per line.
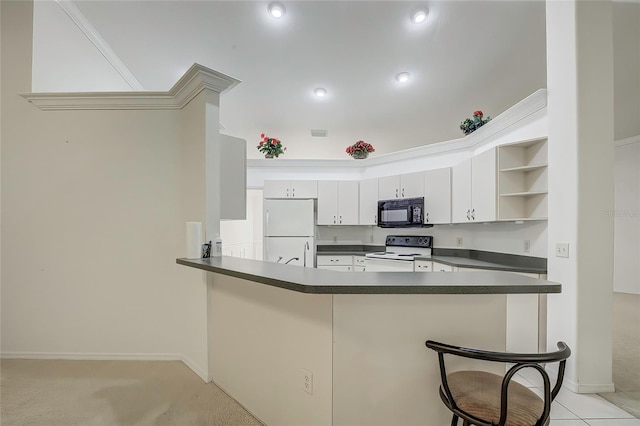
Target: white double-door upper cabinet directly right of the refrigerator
column 337, row 203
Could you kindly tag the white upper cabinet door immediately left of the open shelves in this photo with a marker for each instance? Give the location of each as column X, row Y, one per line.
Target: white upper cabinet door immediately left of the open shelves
column 483, row 186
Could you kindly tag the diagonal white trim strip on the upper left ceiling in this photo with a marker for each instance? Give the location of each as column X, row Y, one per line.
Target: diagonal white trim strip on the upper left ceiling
column 103, row 47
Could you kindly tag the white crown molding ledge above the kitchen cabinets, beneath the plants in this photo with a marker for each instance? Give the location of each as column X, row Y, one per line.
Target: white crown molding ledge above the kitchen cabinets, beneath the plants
column 497, row 126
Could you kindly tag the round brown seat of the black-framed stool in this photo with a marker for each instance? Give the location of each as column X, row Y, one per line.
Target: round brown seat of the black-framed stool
column 478, row 393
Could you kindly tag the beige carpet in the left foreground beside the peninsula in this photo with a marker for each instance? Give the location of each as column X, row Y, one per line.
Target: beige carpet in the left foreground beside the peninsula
column 55, row 392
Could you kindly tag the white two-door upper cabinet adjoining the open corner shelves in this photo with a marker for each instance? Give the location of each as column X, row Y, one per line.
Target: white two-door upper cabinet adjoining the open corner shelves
column 473, row 189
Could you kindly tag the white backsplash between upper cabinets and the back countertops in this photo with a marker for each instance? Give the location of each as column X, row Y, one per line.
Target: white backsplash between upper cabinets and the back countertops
column 503, row 237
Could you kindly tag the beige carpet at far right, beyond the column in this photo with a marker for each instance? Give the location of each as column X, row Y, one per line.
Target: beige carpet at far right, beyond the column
column 626, row 353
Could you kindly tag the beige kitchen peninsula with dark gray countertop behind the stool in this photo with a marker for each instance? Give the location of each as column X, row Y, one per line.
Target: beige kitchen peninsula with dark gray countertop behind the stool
column 299, row 345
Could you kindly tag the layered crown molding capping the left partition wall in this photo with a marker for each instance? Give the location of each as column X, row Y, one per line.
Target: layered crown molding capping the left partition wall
column 196, row 79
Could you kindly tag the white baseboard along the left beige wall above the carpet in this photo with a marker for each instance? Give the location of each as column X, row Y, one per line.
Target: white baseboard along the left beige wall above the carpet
column 108, row 357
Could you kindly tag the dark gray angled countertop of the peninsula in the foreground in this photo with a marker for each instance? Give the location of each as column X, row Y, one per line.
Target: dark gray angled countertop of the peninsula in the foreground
column 321, row 281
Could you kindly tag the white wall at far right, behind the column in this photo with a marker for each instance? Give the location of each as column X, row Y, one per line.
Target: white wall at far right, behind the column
column 627, row 219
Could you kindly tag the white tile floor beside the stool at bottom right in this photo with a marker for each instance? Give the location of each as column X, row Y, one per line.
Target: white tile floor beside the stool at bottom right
column 571, row 409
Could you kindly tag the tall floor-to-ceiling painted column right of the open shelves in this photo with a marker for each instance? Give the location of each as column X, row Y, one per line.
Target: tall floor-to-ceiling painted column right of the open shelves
column 581, row 187
